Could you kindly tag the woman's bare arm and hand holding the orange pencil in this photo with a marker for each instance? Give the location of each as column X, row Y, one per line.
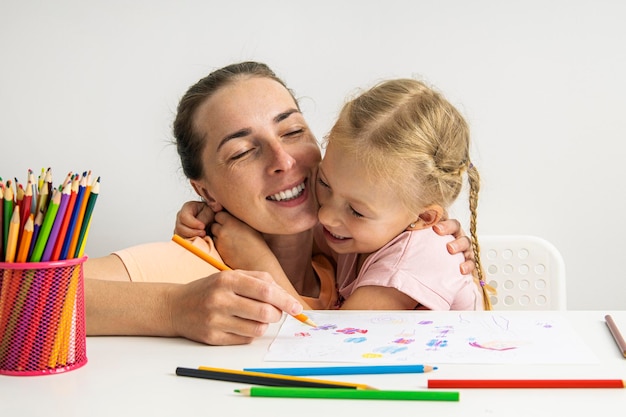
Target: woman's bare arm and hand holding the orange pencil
column 226, row 308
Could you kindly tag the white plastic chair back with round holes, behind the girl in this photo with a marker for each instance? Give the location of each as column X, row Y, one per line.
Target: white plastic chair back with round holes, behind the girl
column 527, row 272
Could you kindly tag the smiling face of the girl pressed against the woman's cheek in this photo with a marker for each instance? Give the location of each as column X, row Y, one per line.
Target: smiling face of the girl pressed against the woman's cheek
column 359, row 214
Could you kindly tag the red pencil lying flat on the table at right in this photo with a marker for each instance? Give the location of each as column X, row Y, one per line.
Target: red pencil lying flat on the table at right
column 525, row 383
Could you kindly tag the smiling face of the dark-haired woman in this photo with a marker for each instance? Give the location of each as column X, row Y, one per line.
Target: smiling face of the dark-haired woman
column 260, row 158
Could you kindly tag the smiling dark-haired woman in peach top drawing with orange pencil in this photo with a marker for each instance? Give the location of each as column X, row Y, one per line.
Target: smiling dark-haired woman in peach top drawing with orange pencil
column 246, row 148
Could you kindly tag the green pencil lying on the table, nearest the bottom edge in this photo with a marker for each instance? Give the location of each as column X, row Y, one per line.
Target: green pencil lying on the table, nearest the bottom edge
column 291, row 392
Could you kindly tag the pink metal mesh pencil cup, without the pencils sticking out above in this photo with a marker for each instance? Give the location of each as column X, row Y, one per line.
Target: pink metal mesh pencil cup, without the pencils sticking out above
column 42, row 317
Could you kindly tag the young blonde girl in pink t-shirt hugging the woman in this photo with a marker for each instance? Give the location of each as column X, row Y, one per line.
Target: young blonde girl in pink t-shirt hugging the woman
column 395, row 160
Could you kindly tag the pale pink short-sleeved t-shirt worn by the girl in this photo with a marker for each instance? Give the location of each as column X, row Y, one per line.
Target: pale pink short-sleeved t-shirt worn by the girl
column 418, row 264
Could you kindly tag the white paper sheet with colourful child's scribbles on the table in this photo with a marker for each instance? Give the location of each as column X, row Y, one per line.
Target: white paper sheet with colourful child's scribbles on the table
column 431, row 337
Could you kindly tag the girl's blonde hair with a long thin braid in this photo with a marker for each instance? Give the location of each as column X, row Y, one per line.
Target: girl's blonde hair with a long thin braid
column 410, row 135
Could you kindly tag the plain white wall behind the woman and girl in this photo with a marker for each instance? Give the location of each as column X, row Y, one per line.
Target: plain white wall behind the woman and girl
column 95, row 84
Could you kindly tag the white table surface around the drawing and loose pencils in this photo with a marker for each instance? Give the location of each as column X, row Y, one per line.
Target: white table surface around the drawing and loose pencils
column 135, row 376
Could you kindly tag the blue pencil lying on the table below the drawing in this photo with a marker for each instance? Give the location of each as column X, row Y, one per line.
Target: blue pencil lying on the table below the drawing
column 346, row 370
